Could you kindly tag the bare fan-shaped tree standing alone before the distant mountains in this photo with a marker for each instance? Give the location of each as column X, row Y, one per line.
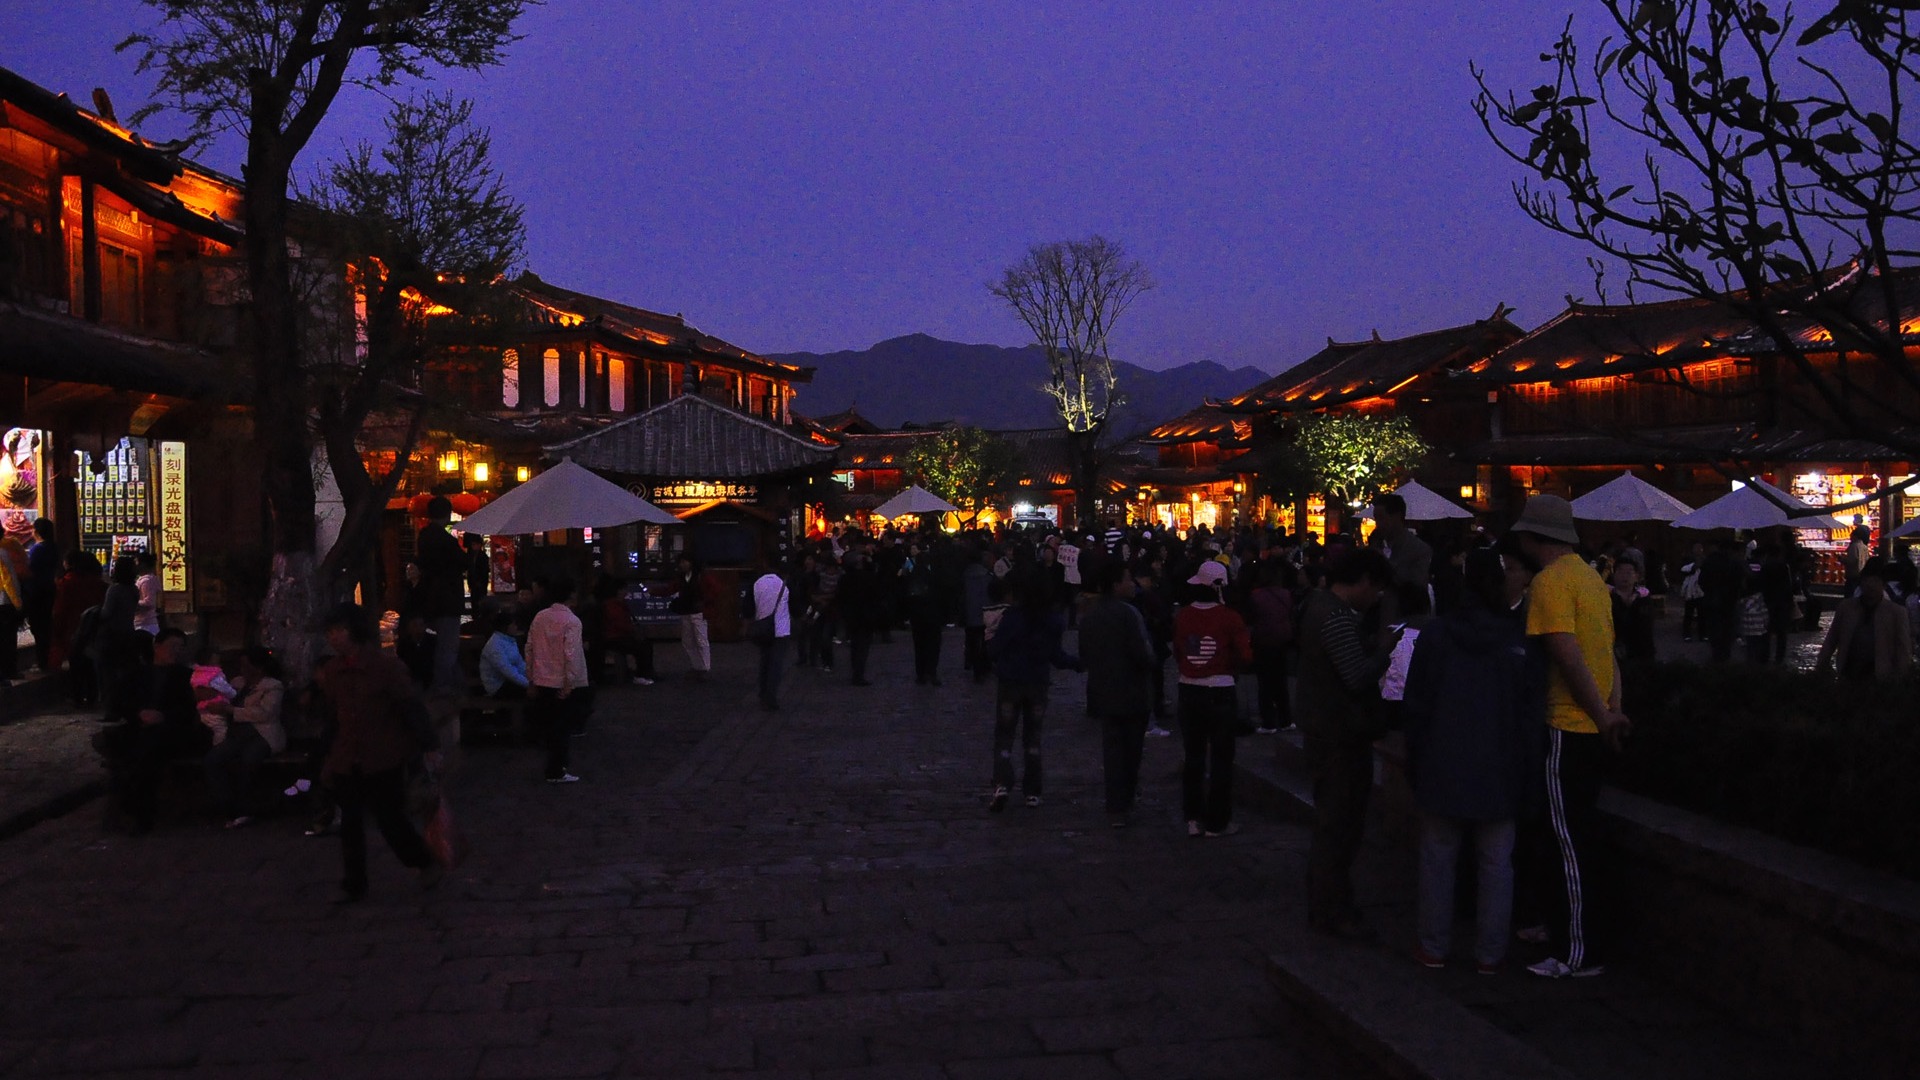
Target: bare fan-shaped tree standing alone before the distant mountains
column 1070, row 295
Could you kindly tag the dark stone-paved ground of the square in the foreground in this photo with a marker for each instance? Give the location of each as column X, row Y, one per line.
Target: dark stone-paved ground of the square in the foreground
column 813, row 893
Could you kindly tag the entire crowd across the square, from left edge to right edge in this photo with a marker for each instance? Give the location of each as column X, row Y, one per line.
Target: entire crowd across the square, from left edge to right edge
column 1504, row 662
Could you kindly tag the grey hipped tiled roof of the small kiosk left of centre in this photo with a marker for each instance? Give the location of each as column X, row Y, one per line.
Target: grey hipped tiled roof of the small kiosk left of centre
column 696, row 439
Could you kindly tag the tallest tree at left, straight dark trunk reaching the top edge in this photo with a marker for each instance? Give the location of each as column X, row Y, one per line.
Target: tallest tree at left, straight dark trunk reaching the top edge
column 270, row 72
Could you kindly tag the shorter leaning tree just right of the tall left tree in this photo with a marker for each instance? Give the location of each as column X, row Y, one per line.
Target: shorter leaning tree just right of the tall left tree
column 429, row 232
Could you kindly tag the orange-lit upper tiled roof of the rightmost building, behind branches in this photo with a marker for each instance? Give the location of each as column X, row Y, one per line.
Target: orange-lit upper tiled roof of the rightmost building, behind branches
column 1589, row 341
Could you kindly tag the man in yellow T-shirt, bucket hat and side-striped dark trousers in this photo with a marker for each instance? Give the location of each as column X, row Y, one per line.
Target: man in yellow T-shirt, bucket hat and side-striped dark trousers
column 1572, row 614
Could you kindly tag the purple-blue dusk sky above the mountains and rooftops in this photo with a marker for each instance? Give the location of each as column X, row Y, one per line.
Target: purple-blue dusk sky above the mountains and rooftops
column 828, row 176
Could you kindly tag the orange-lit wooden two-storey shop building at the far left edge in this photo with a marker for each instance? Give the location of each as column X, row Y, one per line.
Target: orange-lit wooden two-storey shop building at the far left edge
column 120, row 399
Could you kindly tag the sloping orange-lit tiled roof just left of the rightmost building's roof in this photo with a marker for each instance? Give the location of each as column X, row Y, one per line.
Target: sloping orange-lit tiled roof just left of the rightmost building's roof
column 1349, row 372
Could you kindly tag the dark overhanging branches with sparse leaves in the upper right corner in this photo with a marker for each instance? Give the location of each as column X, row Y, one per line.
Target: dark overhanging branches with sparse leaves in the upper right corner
column 1779, row 176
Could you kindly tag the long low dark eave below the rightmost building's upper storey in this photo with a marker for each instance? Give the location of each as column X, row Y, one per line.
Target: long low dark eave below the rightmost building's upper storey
column 1683, row 445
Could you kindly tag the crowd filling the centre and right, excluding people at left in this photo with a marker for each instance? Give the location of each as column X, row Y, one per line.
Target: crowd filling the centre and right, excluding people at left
column 1504, row 660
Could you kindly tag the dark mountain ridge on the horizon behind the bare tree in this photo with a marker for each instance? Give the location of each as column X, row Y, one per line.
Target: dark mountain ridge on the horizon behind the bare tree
column 926, row 380
